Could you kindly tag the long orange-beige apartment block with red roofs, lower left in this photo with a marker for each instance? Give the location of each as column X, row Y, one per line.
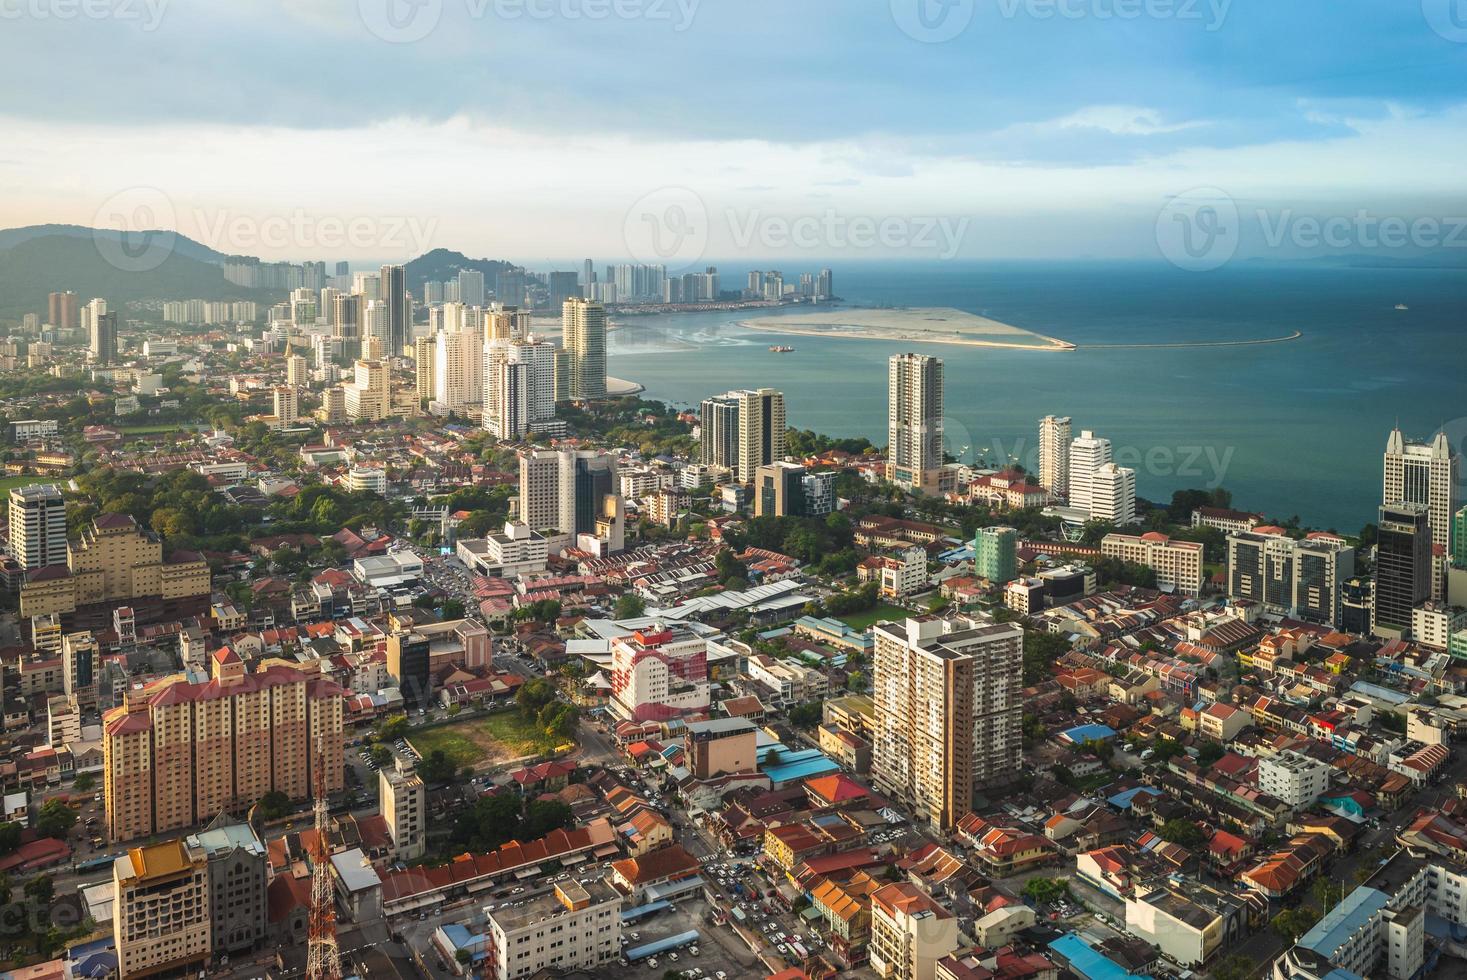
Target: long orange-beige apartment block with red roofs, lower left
column 180, row 753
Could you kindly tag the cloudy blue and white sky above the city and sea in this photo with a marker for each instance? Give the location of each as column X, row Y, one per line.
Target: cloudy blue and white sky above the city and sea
column 676, row 131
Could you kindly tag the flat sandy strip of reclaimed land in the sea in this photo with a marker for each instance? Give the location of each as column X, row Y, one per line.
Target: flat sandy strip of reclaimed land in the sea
column 906, row 325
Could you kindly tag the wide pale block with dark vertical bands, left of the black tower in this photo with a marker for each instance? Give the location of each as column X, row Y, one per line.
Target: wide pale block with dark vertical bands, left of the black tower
column 1300, row 580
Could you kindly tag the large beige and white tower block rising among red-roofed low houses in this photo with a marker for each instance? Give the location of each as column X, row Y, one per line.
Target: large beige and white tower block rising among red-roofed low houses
column 947, row 696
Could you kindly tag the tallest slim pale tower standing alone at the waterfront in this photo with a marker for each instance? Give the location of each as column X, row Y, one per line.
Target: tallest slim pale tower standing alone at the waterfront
column 915, row 422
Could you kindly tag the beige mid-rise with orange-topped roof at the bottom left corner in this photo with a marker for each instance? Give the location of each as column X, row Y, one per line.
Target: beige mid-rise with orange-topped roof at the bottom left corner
column 161, row 909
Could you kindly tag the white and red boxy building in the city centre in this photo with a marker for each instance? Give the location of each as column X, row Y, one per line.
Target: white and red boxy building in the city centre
column 659, row 674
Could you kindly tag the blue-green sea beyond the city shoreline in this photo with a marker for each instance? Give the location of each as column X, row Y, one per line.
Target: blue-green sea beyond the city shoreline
column 1292, row 429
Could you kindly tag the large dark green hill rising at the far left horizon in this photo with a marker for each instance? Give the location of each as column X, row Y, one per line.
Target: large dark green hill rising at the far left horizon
column 40, row 266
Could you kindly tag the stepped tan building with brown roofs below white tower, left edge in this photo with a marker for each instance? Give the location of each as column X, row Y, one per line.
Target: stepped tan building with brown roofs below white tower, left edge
column 115, row 561
